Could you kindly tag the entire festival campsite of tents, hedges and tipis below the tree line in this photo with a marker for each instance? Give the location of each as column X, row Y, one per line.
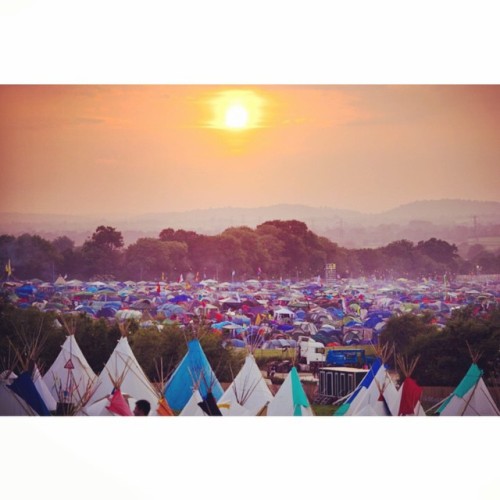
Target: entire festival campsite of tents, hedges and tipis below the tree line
column 255, row 348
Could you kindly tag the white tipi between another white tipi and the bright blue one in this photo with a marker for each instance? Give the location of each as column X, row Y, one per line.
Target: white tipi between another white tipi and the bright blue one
column 122, row 365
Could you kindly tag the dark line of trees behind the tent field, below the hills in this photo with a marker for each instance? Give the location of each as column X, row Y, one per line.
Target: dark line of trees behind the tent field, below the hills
column 275, row 249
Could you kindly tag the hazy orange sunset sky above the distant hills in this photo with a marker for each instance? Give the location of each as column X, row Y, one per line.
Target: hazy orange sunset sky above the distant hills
column 87, row 149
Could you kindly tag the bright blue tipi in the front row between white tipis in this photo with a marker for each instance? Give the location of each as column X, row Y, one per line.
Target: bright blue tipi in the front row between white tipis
column 194, row 370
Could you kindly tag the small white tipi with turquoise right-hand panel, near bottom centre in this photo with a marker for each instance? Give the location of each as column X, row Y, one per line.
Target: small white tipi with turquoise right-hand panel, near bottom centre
column 290, row 400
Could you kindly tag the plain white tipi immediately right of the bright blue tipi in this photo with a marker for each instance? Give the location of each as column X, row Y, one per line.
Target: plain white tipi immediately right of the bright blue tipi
column 248, row 389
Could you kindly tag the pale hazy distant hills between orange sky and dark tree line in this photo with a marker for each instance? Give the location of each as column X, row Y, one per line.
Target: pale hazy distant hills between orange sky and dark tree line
column 454, row 220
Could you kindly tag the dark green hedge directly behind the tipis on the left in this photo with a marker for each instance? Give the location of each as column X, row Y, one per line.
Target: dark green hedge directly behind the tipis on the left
column 30, row 335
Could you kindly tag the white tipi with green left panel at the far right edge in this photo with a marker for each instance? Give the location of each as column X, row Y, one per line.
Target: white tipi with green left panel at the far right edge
column 470, row 398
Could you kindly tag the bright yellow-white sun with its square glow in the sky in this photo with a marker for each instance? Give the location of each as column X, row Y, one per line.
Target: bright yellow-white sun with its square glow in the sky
column 236, row 110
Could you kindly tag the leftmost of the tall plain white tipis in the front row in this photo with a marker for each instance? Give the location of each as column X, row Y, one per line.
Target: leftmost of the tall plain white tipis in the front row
column 70, row 376
